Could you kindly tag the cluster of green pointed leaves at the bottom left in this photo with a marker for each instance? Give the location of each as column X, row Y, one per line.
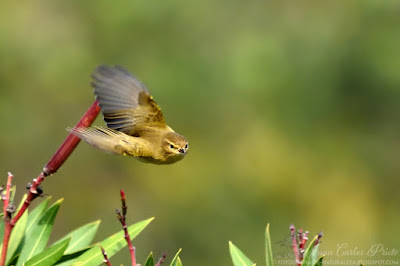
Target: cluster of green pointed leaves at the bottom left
column 29, row 240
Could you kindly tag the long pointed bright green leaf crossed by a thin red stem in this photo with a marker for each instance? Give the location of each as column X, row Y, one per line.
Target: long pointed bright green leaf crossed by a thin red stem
column 112, row 245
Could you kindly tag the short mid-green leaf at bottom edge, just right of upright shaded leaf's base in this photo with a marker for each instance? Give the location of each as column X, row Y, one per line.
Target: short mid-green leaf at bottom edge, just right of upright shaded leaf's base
column 50, row 255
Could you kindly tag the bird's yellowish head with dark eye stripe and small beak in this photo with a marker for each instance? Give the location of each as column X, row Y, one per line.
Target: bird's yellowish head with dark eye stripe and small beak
column 175, row 147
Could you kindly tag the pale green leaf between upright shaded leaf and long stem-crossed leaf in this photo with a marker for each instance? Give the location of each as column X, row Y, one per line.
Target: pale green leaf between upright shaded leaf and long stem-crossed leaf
column 81, row 237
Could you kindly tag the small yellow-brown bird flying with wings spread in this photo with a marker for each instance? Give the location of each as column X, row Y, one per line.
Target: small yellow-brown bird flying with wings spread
column 135, row 125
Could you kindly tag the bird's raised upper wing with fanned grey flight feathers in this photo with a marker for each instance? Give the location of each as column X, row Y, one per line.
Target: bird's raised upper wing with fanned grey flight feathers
column 125, row 102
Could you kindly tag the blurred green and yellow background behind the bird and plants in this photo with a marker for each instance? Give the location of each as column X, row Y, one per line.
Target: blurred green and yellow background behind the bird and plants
column 292, row 110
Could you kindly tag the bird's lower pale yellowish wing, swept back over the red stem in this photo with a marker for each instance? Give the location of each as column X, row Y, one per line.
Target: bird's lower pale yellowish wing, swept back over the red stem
column 112, row 141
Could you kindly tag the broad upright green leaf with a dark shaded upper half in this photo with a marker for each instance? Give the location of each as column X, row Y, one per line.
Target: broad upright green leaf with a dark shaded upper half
column 36, row 239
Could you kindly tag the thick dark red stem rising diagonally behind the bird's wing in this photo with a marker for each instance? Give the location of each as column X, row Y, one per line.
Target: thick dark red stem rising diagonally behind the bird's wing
column 61, row 155
